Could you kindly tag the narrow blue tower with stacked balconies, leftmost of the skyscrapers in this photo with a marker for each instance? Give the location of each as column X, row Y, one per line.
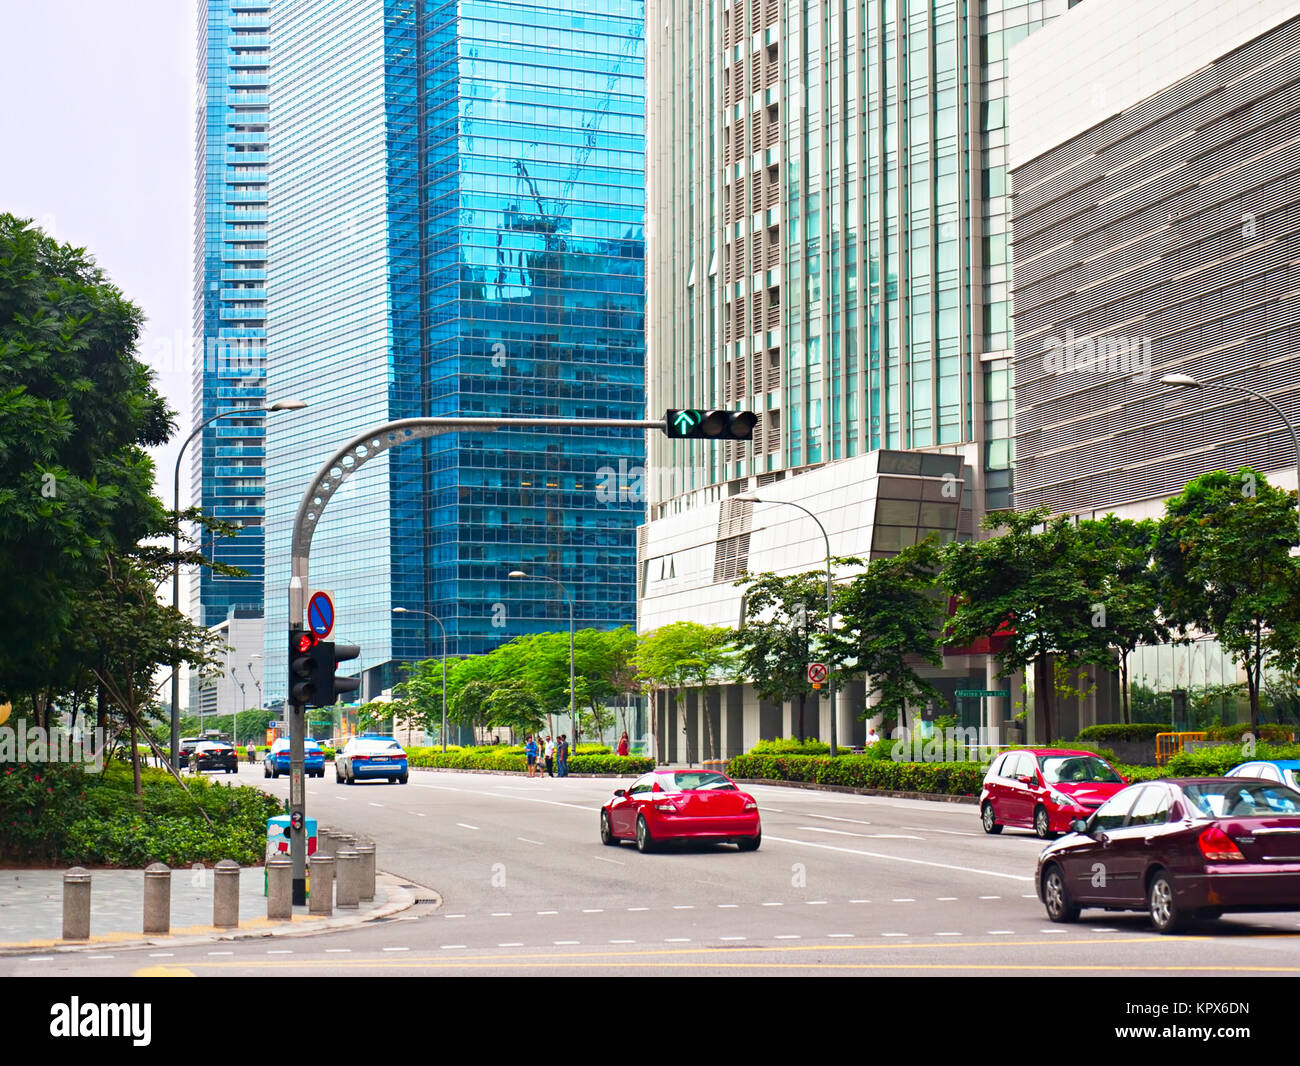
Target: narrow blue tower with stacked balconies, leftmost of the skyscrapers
column 228, row 461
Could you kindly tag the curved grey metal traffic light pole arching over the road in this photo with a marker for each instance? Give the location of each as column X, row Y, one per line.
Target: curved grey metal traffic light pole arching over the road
column 341, row 466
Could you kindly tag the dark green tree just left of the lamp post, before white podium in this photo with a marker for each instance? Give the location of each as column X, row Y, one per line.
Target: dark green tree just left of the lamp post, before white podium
column 785, row 629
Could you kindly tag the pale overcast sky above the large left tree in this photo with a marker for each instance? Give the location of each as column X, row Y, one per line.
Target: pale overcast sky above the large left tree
column 97, row 145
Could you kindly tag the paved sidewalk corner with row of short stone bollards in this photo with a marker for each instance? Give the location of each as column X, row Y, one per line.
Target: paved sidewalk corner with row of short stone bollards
column 32, row 909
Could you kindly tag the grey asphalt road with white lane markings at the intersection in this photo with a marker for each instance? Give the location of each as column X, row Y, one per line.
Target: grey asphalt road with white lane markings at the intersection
column 842, row 886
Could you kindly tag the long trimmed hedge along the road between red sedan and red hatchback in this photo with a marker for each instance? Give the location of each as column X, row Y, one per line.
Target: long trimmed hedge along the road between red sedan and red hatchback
column 864, row 772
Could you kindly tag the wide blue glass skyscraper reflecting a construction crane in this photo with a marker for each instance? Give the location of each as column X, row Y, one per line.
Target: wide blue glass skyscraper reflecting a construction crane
column 457, row 229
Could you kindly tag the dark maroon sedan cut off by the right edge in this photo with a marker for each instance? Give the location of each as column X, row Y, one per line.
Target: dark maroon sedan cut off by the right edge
column 1180, row 850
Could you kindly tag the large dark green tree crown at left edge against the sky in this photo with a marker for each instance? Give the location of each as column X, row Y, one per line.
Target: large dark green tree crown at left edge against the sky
column 77, row 411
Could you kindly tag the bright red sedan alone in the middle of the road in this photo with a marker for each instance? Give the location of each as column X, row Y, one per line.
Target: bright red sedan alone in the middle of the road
column 682, row 805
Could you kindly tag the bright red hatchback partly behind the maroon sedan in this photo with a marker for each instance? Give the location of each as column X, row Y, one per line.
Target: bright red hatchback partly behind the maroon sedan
column 1045, row 790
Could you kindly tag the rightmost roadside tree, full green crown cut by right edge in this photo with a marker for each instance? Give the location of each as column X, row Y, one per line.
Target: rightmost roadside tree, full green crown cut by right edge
column 1223, row 553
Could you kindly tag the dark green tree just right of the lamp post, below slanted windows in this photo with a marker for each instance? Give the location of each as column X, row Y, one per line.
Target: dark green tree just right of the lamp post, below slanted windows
column 891, row 617
